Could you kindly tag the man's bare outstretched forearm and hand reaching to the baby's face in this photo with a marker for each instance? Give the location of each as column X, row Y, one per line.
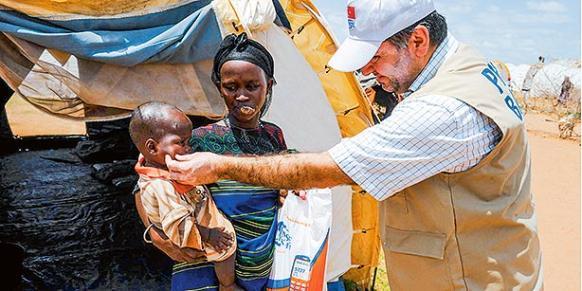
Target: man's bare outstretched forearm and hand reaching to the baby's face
column 288, row 171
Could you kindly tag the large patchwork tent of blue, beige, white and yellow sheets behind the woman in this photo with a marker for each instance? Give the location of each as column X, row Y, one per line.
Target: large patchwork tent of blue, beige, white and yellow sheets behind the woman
column 97, row 60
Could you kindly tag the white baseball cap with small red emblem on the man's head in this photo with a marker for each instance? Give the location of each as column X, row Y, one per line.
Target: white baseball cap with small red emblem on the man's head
column 371, row 22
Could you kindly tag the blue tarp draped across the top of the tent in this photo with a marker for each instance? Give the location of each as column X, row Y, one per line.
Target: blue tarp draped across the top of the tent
column 183, row 34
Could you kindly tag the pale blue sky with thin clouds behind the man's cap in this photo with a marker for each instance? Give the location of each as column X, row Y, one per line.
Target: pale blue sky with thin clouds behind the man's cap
column 515, row 32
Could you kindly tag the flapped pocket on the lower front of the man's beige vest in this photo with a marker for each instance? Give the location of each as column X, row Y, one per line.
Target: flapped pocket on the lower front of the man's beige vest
column 413, row 242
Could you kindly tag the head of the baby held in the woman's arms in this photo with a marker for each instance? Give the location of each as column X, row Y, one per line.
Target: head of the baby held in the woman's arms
column 158, row 129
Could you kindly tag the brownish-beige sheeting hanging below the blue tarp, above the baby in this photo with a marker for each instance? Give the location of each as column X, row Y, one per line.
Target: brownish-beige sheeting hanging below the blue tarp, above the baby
column 78, row 88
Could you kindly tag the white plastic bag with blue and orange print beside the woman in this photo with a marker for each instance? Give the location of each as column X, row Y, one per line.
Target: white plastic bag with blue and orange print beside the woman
column 301, row 242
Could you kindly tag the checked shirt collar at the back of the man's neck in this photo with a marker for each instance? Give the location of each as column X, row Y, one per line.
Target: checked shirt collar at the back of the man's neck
column 442, row 52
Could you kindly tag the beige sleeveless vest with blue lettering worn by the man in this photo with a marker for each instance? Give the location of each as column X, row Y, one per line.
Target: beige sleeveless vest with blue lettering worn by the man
column 474, row 230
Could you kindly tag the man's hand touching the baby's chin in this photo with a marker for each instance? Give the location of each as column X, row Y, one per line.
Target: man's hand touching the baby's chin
column 194, row 169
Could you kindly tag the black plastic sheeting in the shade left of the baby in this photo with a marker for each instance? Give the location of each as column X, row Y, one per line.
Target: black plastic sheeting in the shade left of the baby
column 77, row 233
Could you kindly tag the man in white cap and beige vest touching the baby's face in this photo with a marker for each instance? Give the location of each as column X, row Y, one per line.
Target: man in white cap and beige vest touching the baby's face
column 451, row 165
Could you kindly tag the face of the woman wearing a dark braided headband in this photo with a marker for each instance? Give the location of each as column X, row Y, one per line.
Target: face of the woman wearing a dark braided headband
column 244, row 87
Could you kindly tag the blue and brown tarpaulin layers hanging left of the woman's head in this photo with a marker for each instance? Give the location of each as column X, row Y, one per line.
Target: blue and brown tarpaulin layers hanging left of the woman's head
column 101, row 64
